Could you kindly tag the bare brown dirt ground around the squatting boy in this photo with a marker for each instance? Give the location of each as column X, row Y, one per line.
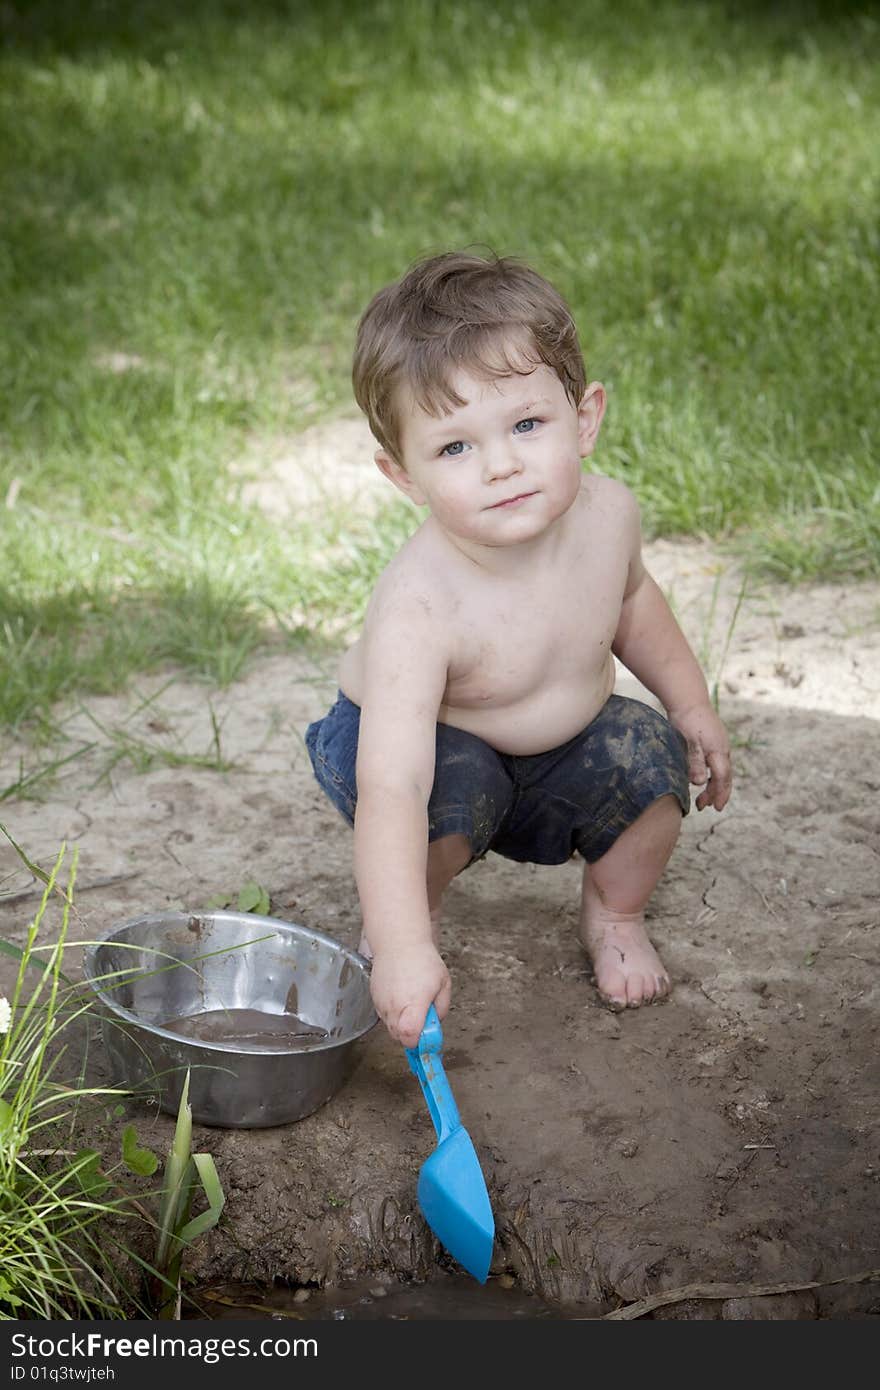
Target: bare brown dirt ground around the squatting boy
column 729, row 1135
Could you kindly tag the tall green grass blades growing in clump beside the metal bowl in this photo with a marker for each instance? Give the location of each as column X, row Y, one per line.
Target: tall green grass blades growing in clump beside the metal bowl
column 62, row 1210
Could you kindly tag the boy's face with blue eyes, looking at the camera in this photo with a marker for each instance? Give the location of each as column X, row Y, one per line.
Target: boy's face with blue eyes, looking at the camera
column 505, row 466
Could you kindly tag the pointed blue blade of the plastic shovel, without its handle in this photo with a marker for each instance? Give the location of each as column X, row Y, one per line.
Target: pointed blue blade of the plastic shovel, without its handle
column 455, row 1203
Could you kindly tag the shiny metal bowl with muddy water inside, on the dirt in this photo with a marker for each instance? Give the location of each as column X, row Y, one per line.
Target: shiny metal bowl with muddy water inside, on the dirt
column 158, row 975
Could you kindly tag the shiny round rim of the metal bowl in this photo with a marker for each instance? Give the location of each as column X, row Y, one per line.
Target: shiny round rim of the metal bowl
column 92, row 979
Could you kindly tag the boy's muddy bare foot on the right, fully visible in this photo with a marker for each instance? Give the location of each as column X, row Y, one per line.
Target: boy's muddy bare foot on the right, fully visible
column 629, row 971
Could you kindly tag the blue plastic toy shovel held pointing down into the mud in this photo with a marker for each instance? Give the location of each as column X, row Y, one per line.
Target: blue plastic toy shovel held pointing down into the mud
column 453, row 1192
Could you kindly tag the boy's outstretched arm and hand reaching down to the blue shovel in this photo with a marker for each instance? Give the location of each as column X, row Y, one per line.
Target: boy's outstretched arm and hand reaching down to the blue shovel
column 405, row 678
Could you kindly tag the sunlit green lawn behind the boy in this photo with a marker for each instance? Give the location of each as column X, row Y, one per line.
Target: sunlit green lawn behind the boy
column 198, row 201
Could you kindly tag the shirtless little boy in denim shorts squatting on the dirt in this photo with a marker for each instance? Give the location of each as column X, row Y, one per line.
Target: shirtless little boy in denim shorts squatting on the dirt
column 476, row 711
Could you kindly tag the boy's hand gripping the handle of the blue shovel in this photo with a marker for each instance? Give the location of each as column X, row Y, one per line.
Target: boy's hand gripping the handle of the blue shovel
column 405, row 982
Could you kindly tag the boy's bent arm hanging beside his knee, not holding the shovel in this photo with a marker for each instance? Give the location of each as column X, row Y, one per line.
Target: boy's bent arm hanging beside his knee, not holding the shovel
column 651, row 644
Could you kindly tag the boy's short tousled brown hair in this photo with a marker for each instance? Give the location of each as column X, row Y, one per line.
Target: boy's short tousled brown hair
column 490, row 316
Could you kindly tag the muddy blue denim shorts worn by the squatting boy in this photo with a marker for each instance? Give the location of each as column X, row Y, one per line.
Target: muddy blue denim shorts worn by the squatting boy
column 543, row 808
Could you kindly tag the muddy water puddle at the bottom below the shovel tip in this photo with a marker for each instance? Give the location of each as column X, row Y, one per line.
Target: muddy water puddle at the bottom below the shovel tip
column 444, row 1298
